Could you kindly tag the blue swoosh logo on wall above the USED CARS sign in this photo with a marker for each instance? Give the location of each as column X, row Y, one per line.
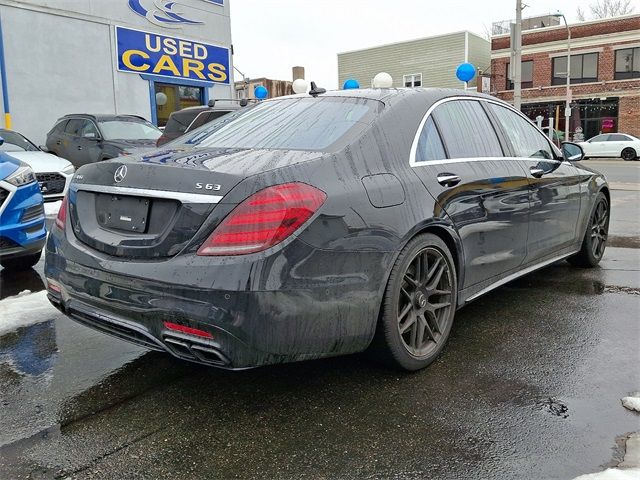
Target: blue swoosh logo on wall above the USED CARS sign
column 169, row 13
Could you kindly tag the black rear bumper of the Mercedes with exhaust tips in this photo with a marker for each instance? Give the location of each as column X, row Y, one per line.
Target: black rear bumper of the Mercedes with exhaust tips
column 252, row 315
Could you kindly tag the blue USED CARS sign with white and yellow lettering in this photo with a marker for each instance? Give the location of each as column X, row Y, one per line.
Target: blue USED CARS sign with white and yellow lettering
column 154, row 54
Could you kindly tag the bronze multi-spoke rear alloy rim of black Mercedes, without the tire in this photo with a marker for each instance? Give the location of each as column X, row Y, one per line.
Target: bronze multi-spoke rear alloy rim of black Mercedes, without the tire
column 424, row 302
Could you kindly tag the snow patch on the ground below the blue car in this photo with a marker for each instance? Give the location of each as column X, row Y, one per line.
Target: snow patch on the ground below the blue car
column 25, row 309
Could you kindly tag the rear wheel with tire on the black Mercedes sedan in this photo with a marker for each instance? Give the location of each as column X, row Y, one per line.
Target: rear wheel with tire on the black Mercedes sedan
column 418, row 306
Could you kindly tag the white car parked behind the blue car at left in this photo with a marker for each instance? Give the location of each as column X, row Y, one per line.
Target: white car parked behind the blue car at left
column 53, row 173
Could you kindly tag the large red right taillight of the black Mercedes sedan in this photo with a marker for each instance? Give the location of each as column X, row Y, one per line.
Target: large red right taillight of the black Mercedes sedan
column 264, row 219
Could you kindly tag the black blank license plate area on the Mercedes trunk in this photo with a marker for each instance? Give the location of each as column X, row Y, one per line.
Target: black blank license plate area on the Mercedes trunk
column 128, row 214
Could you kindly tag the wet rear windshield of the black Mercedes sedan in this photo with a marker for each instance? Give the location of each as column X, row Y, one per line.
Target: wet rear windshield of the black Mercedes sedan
column 318, row 124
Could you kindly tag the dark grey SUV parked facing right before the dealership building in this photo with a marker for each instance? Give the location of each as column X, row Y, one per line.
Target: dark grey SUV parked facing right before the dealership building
column 83, row 138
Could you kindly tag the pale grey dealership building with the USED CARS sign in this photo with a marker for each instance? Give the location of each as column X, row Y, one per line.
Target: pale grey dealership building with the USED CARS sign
column 140, row 57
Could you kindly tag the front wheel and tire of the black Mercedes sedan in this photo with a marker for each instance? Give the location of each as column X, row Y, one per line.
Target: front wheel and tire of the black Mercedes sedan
column 594, row 242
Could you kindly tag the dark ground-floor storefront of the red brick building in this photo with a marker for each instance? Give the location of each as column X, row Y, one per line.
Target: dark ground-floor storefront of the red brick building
column 589, row 117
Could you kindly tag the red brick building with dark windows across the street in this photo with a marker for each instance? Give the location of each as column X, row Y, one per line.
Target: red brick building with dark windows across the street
column 605, row 74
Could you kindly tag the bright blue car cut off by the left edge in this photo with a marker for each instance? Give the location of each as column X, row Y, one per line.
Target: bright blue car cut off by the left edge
column 22, row 222
